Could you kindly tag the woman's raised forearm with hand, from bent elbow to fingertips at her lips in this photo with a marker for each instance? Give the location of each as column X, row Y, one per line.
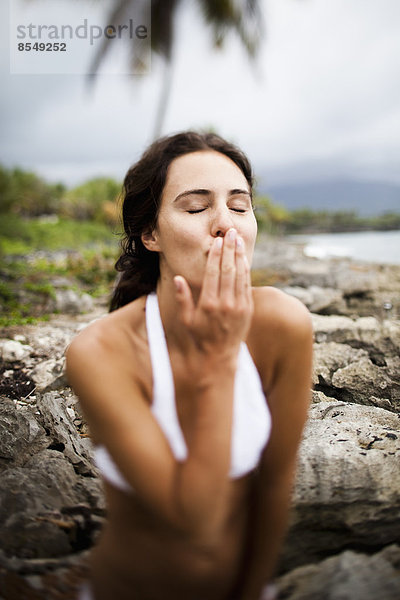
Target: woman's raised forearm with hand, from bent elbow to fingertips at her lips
column 207, row 340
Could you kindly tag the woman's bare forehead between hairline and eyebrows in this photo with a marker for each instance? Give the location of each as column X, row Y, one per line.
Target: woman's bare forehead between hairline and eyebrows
column 204, row 169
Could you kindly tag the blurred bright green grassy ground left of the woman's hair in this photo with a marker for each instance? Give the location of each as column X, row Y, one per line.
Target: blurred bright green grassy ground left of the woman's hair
column 49, row 256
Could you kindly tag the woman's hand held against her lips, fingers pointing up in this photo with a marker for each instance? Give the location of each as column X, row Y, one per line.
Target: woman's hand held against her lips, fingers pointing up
column 221, row 318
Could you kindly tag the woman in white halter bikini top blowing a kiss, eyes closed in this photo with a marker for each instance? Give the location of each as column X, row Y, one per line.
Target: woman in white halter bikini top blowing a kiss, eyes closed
column 196, row 387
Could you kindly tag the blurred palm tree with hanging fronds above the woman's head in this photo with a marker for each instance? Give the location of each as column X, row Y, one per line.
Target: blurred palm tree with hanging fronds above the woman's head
column 241, row 17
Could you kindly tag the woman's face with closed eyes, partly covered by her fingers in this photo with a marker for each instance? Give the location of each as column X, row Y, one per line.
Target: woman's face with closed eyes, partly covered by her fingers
column 205, row 194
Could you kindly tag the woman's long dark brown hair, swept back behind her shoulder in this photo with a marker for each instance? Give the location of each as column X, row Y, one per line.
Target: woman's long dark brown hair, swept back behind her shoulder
column 142, row 191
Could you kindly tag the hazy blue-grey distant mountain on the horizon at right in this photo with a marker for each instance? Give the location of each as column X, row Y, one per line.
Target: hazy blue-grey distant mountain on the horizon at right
column 367, row 198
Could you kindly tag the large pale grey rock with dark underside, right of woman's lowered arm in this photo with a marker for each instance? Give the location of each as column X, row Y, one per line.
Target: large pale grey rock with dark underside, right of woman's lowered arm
column 347, row 492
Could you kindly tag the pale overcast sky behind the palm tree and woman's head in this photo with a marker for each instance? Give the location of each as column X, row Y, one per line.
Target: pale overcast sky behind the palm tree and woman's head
column 322, row 100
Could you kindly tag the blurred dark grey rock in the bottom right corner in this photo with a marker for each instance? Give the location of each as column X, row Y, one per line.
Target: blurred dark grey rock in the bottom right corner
column 348, row 576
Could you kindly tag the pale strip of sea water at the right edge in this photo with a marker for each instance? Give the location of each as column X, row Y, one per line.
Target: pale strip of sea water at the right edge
column 369, row 246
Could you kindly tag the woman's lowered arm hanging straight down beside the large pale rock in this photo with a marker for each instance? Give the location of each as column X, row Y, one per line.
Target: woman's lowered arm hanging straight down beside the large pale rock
column 288, row 398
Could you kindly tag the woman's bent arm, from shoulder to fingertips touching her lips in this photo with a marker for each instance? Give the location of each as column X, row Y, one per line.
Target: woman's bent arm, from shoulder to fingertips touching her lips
column 189, row 495
